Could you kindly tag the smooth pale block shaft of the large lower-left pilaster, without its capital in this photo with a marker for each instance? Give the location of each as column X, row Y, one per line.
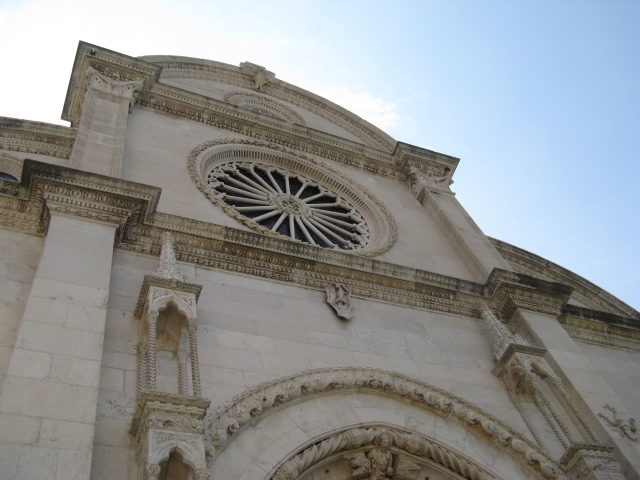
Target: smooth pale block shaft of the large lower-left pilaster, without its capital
column 49, row 400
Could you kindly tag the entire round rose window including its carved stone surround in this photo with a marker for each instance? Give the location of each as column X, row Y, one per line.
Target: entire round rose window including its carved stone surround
column 280, row 193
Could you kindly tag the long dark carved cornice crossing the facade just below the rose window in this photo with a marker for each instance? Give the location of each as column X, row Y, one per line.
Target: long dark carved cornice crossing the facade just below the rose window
column 132, row 206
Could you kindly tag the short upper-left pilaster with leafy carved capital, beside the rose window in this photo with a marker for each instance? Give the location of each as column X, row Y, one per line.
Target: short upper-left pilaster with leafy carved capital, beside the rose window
column 99, row 145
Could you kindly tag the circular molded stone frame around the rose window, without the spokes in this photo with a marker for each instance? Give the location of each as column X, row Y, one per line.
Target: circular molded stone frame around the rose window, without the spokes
column 209, row 155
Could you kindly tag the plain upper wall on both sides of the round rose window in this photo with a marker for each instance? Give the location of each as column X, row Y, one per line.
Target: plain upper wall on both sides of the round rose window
column 156, row 153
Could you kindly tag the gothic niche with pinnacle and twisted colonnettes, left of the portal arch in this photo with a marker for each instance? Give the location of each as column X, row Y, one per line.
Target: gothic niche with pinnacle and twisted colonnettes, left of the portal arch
column 168, row 423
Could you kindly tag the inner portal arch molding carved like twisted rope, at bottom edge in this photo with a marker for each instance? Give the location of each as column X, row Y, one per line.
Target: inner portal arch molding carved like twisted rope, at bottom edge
column 411, row 443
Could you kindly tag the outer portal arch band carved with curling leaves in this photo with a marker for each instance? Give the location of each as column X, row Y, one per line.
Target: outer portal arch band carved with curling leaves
column 223, row 424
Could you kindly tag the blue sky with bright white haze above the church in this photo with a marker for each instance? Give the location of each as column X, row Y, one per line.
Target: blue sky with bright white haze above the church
column 539, row 99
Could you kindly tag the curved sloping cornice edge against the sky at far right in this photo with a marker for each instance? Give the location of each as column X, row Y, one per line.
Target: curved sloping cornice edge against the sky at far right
column 584, row 291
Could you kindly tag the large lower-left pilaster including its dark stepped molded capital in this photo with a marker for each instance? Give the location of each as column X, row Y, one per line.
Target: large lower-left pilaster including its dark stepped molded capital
column 49, row 398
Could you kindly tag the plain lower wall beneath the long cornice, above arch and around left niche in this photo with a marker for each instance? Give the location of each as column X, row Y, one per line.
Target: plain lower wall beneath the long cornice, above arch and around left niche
column 251, row 331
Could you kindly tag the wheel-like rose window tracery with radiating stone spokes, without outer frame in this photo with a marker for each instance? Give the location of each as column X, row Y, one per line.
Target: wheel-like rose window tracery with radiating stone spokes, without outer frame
column 289, row 204
